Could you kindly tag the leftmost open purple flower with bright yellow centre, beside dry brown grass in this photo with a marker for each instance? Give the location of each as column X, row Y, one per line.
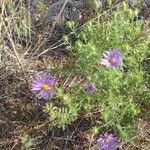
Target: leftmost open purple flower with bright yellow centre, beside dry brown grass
column 44, row 85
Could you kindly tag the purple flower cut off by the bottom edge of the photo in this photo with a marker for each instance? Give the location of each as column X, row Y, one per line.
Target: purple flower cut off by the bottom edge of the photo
column 107, row 142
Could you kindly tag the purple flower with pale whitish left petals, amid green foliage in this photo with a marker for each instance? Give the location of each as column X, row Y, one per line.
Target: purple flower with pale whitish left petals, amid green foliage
column 112, row 59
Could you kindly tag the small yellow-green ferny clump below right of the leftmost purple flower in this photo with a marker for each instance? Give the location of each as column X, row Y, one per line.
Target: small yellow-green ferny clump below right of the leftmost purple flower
column 64, row 113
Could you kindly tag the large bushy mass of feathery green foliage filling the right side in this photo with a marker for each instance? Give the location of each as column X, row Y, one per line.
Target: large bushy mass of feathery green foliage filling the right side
column 118, row 93
